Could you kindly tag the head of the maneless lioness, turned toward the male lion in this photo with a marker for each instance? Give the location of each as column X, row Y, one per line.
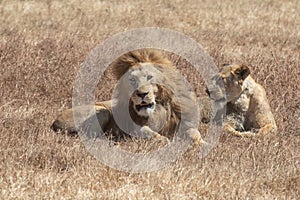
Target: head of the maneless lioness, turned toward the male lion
column 228, row 83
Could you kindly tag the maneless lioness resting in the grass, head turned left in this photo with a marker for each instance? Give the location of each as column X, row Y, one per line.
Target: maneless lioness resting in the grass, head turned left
column 247, row 107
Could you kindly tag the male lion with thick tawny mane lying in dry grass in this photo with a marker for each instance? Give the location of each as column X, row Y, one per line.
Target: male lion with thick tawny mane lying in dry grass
column 151, row 92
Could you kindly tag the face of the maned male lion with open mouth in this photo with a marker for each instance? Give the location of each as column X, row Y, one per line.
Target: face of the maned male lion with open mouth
column 143, row 81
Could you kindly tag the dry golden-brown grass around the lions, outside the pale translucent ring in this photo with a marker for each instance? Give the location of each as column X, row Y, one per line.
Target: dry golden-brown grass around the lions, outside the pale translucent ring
column 42, row 44
